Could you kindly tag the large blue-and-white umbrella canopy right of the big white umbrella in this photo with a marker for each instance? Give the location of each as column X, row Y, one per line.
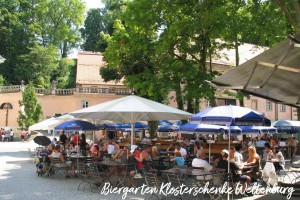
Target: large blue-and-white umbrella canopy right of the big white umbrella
column 233, row 115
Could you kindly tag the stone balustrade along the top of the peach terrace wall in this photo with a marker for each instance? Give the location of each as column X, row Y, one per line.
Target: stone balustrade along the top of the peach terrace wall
column 79, row 90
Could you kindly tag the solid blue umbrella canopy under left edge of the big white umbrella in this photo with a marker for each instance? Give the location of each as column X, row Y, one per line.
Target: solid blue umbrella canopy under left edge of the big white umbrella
column 76, row 125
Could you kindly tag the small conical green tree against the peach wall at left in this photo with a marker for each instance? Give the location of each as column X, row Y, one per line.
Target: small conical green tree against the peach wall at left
column 32, row 108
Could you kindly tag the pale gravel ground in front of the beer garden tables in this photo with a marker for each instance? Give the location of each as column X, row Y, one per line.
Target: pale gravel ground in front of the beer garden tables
column 18, row 180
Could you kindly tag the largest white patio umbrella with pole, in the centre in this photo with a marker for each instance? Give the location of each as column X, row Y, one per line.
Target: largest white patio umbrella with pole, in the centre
column 131, row 109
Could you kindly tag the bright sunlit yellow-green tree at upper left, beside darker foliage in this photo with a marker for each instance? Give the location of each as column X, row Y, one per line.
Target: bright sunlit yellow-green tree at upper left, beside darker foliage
column 57, row 23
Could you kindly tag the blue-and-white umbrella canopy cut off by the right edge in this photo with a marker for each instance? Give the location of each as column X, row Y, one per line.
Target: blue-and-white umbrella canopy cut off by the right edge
column 287, row 126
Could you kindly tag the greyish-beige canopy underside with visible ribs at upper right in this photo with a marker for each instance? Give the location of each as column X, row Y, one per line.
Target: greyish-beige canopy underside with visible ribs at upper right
column 273, row 74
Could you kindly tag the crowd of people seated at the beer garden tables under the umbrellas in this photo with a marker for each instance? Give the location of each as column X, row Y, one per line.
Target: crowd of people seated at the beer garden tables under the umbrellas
column 245, row 163
